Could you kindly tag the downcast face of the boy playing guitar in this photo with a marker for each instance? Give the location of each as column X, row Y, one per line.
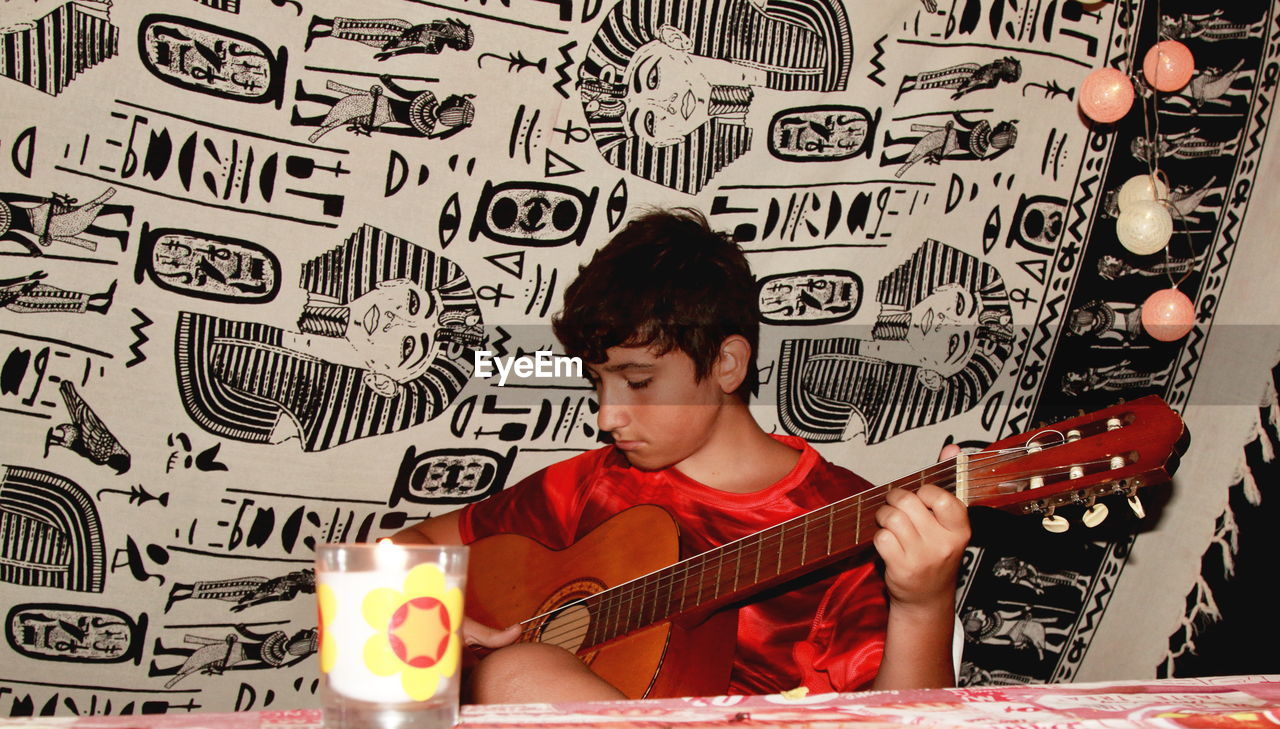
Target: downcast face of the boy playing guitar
column 655, row 407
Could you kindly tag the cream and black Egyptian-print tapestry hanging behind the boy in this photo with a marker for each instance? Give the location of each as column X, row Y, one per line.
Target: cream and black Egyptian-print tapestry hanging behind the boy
column 250, row 250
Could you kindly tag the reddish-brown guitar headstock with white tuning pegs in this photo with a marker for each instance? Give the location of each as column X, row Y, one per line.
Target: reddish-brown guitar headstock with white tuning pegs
column 1078, row 461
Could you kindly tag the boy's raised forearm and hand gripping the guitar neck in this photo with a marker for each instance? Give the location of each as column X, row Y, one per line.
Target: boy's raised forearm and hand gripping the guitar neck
column 922, row 542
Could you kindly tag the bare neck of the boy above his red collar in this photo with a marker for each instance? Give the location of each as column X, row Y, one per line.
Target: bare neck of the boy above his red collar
column 739, row 457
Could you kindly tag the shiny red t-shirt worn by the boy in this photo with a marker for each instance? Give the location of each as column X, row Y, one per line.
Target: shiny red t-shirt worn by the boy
column 826, row 634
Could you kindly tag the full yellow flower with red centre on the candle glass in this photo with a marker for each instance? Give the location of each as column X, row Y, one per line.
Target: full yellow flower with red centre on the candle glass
column 414, row 631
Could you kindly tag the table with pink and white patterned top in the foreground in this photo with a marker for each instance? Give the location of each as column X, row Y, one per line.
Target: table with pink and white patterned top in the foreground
column 1222, row 703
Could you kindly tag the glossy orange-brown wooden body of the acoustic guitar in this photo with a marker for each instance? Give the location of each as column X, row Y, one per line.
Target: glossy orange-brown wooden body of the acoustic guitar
column 514, row 579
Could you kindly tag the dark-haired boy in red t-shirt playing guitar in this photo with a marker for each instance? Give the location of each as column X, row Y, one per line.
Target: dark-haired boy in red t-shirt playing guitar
column 666, row 322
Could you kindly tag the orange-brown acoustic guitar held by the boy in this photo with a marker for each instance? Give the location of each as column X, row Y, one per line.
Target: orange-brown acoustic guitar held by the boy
column 653, row 625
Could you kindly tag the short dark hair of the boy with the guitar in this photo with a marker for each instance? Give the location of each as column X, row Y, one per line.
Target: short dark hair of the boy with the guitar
column 666, row 281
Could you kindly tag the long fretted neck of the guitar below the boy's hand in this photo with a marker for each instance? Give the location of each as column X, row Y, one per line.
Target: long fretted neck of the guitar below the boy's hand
column 734, row 571
